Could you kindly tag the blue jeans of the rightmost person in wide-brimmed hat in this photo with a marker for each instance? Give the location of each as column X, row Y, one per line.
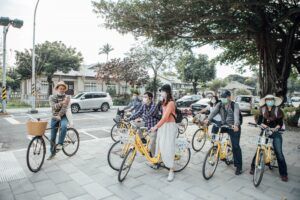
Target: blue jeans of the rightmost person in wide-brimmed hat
column 277, row 145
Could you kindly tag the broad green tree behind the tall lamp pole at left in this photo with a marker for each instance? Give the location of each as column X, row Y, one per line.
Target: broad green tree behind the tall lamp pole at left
column 50, row 58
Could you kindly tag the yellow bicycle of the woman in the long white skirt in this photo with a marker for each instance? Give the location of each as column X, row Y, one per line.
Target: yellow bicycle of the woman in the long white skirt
column 182, row 154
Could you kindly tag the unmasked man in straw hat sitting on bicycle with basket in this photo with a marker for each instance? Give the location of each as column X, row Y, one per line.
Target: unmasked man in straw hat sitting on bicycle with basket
column 59, row 103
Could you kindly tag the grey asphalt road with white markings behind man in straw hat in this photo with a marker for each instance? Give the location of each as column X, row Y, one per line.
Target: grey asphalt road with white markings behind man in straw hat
column 91, row 125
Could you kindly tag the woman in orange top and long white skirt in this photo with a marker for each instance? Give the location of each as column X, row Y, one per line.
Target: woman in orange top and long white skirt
column 167, row 131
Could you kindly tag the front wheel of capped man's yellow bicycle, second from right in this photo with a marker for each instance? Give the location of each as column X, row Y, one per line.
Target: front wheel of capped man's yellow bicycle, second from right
column 210, row 163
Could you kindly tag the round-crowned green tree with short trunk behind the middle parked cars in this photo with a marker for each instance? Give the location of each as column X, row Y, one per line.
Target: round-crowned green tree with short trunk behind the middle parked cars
column 196, row 69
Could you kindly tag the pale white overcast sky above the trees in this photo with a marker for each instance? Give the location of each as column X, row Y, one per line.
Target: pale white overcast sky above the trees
column 74, row 23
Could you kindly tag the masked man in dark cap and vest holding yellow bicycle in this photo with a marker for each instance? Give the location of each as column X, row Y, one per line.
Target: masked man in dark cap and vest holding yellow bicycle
column 230, row 115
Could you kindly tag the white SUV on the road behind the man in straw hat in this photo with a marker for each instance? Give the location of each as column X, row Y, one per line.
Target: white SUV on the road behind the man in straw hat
column 91, row 101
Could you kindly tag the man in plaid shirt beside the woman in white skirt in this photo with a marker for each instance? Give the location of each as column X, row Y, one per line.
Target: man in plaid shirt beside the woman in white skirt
column 148, row 112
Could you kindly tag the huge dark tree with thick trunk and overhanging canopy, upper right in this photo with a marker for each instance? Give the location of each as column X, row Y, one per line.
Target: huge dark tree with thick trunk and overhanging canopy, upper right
column 264, row 32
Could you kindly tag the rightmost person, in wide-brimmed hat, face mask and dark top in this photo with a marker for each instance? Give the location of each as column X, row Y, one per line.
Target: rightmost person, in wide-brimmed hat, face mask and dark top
column 272, row 116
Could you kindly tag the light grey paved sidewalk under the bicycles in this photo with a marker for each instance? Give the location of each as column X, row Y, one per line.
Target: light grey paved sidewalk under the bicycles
column 87, row 176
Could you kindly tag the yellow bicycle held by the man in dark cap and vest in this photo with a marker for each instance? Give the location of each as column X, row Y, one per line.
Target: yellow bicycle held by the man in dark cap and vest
column 221, row 149
